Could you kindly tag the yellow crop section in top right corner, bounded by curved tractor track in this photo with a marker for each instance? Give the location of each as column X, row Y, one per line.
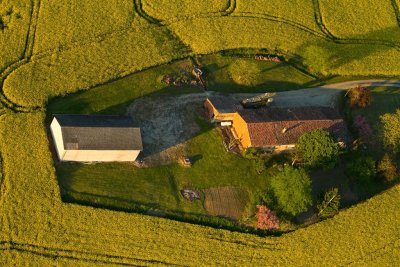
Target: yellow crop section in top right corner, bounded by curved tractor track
column 366, row 19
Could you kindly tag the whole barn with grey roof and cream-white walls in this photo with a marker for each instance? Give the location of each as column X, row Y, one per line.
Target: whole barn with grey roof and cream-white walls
column 89, row 138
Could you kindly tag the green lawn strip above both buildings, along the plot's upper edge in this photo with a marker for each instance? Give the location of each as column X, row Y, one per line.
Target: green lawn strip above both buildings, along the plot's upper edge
column 113, row 97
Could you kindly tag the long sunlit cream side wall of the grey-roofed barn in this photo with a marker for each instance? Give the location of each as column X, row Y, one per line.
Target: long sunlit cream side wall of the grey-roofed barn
column 100, row 155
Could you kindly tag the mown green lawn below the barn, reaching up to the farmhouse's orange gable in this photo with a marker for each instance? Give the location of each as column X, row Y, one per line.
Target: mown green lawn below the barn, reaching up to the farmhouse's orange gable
column 158, row 187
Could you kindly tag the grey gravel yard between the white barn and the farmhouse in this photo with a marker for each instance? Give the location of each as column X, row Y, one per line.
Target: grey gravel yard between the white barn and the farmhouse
column 166, row 123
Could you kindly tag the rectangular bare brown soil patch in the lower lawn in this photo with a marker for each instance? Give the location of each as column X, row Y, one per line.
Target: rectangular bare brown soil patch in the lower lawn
column 225, row 201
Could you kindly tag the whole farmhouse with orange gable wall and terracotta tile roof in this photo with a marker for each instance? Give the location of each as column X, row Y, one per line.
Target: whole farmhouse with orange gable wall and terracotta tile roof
column 273, row 128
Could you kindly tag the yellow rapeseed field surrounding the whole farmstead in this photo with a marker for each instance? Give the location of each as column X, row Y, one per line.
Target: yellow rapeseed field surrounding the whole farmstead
column 89, row 44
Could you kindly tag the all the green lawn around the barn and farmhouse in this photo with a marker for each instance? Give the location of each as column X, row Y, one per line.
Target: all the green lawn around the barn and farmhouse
column 119, row 185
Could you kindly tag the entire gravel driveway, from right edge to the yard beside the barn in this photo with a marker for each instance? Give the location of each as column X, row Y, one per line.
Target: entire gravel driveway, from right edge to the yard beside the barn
column 167, row 121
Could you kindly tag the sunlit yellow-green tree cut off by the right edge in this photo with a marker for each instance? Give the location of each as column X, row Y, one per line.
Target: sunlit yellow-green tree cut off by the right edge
column 391, row 130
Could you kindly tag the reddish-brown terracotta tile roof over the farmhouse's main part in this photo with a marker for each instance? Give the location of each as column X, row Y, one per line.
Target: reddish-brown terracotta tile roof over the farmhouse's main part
column 283, row 126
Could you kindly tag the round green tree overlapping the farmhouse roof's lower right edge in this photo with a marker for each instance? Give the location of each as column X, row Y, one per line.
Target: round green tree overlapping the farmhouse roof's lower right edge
column 318, row 149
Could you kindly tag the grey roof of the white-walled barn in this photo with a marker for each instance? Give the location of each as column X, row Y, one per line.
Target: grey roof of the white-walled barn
column 99, row 132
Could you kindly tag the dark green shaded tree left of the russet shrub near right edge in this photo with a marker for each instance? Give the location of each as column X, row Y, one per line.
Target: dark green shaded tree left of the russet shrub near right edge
column 361, row 168
